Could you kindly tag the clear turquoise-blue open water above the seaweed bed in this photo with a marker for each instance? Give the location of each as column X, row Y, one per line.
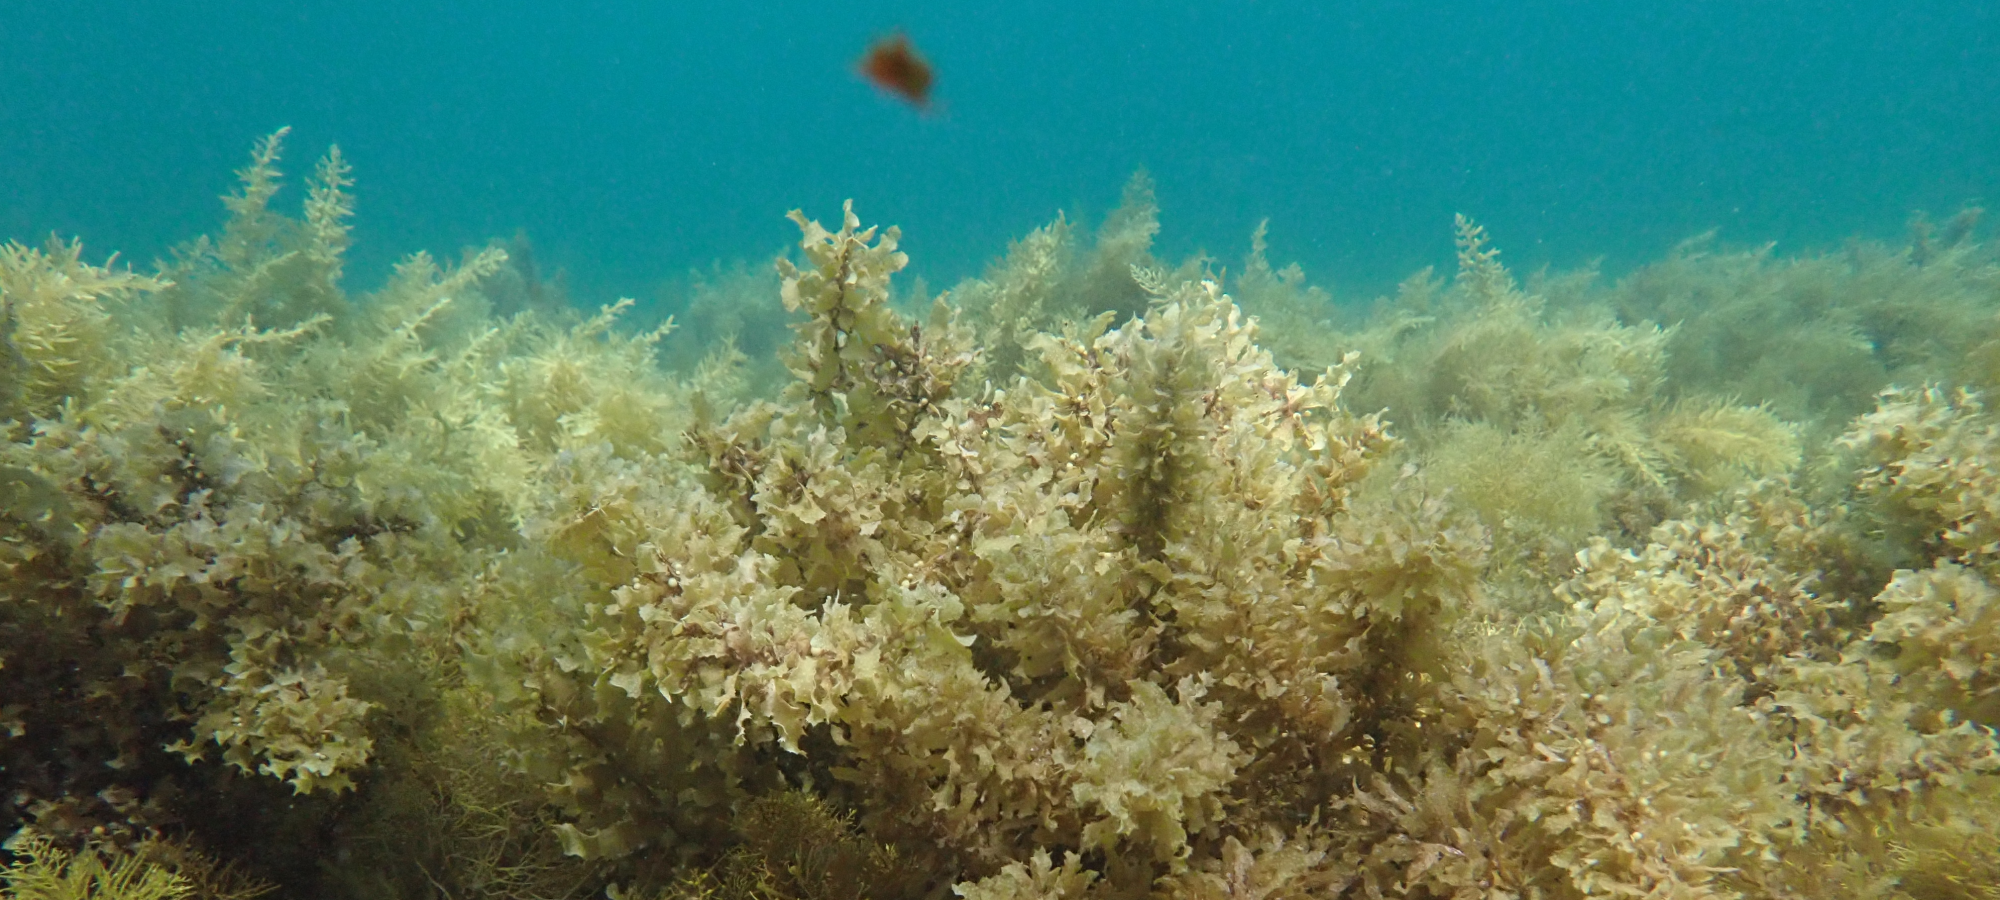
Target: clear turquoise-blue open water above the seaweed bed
column 633, row 141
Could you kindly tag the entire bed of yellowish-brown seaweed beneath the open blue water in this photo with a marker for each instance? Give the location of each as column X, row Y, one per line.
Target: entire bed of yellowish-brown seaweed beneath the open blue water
column 1095, row 577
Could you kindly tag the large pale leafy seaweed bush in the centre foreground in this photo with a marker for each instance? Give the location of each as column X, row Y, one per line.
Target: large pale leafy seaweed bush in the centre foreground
column 1007, row 621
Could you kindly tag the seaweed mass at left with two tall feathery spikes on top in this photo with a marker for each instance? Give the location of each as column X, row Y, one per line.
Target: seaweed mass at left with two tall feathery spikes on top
column 241, row 517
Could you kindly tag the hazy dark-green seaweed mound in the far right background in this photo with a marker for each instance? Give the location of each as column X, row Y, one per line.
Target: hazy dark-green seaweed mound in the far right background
column 1819, row 335
